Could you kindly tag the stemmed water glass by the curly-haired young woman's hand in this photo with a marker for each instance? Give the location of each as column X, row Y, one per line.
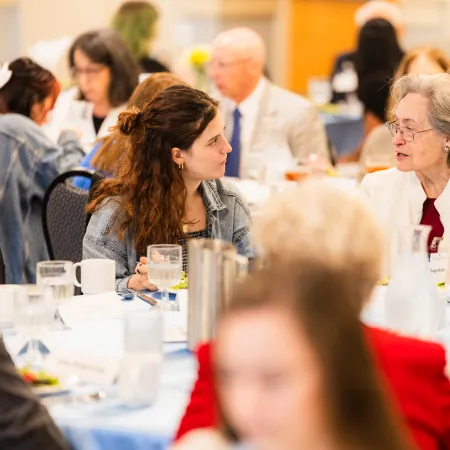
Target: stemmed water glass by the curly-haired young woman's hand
column 164, row 270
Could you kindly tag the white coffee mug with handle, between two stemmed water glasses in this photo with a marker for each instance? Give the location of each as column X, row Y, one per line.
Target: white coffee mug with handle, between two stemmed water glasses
column 97, row 275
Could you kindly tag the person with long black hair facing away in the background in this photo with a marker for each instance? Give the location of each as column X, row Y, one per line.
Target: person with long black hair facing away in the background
column 376, row 60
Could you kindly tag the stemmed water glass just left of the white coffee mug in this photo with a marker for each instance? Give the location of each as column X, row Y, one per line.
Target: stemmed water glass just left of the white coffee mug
column 58, row 275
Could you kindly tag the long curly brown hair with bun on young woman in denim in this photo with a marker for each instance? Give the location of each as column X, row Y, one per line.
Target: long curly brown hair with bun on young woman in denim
column 149, row 185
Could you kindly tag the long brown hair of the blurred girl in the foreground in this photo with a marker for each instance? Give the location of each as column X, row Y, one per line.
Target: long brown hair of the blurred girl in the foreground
column 319, row 298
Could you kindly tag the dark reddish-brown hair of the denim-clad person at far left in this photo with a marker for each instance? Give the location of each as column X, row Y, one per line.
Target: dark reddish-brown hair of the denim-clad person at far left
column 29, row 85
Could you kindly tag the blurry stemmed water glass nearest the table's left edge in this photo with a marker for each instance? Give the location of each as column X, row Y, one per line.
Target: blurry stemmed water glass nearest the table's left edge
column 33, row 313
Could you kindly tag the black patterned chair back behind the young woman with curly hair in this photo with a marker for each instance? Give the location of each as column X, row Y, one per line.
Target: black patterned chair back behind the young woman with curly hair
column 64, row 217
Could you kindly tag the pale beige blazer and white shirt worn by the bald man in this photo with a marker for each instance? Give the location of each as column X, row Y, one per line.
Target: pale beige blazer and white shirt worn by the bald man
column 278, row 127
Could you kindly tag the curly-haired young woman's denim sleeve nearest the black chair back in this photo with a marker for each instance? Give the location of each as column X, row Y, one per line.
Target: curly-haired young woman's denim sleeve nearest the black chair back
column 102, row 241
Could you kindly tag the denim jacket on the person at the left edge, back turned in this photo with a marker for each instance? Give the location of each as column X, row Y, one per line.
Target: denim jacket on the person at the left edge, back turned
column 29, row 161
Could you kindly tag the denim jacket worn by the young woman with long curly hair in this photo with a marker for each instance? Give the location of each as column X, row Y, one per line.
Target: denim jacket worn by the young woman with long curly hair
column 228, row 218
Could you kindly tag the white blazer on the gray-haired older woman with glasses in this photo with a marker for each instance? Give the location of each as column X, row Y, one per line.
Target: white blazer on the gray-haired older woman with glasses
column 397, row 199
